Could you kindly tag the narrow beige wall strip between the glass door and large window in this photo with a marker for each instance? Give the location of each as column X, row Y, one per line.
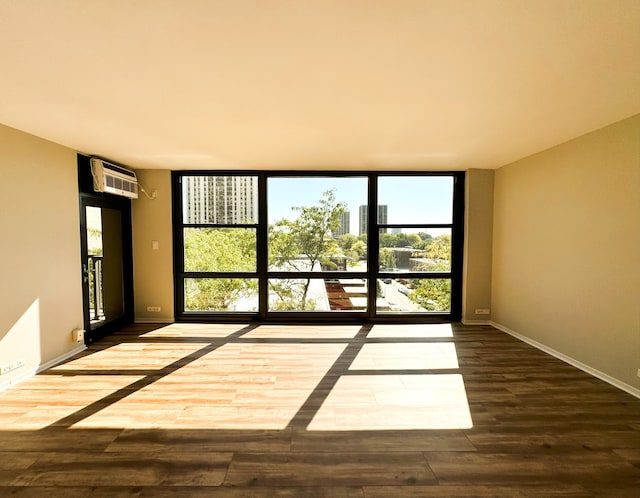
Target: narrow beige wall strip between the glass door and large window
column 153, row 268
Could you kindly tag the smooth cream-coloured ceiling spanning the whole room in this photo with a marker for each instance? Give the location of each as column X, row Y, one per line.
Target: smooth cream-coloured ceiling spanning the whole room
column 327, row 84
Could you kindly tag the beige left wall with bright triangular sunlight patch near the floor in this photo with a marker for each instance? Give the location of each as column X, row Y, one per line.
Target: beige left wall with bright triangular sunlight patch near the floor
column 40, row 277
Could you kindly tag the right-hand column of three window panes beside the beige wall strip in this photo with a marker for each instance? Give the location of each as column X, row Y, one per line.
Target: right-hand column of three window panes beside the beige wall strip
column 415, row 225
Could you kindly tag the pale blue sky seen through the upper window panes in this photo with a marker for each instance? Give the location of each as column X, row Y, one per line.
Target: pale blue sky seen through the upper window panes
column 421, row 199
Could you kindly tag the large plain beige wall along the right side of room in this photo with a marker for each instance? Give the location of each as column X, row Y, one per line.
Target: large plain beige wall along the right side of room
column 566, row 249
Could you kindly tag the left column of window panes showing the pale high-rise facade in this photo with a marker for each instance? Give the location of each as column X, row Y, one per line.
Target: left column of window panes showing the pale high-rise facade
column 218, row 244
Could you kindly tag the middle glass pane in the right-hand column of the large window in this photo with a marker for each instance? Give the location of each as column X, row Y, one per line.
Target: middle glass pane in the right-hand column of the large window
column 416, row 250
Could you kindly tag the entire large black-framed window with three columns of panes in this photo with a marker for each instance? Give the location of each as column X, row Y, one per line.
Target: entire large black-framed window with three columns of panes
column 334, row 246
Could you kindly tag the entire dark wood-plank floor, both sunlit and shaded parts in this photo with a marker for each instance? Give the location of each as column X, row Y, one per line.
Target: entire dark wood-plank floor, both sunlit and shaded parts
column 305, row 411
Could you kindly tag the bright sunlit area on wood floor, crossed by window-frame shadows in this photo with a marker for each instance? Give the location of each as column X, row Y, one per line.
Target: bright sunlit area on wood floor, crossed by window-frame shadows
column 240, row 377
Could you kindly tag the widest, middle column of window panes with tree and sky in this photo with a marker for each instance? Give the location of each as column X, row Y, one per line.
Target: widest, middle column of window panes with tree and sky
column 315, row 261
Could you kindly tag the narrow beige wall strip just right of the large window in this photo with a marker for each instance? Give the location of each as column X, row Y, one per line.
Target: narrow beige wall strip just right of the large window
column 476, row 290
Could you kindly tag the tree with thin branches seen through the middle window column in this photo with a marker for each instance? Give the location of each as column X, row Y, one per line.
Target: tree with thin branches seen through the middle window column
column 301, row 244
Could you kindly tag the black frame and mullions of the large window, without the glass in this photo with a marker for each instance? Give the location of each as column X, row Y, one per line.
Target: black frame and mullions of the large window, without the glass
column 371, row 275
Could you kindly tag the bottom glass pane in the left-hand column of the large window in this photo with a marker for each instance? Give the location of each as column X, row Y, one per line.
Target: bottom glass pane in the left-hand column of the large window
column 221, row 294
